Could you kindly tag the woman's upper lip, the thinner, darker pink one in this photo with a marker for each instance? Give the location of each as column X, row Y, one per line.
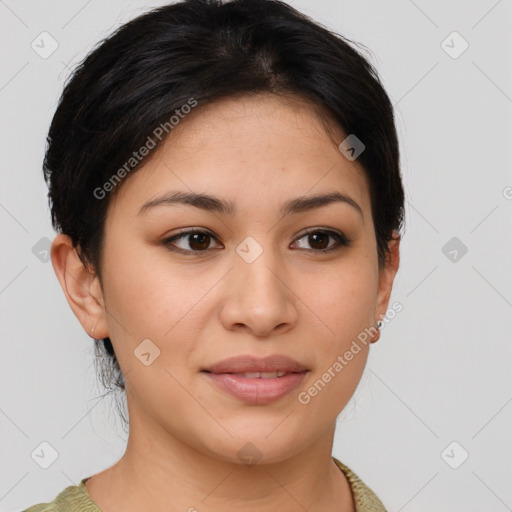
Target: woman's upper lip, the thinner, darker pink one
column 243, row 364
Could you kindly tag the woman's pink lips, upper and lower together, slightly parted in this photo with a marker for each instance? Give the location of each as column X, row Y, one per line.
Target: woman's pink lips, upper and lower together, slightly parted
column 257, row 381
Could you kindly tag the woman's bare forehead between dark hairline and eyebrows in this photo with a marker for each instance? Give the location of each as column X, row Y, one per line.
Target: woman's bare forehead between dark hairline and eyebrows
column 261, row 147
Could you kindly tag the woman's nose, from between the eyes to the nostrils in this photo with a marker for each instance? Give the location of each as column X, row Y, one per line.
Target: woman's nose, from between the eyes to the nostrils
column 259, row 297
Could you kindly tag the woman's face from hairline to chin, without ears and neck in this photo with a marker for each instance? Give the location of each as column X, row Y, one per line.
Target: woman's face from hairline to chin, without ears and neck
column 259, row 274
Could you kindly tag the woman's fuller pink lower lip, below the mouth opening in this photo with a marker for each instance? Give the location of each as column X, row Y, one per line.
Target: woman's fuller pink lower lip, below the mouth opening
column 256, row 391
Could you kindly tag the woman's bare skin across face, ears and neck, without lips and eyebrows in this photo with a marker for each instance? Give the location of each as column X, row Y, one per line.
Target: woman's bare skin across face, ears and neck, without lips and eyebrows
column 202, row 307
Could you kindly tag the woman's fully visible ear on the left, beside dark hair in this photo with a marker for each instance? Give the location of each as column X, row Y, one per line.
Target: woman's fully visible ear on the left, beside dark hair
column 81, row 287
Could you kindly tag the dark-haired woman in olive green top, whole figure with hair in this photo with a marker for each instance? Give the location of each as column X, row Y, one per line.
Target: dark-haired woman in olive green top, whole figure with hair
column 225, row 182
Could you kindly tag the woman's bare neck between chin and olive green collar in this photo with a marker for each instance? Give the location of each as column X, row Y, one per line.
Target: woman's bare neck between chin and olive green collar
column 157, row 470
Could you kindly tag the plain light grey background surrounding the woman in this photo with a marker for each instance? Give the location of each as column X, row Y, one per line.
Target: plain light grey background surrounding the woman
column 441, row 371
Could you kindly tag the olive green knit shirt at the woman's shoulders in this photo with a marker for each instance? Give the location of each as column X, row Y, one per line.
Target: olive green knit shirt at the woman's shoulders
column 76, row 498
